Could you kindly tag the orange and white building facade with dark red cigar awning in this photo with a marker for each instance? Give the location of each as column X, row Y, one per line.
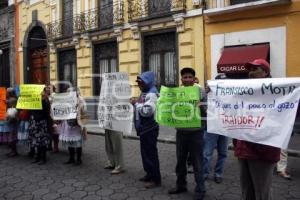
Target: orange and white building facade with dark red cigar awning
column 239, row 31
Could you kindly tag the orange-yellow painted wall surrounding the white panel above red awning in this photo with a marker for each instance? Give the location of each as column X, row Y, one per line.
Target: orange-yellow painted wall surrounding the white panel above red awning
column 259, row 18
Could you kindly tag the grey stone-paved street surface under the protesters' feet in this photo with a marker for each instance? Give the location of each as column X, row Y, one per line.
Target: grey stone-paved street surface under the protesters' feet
column 19, row 179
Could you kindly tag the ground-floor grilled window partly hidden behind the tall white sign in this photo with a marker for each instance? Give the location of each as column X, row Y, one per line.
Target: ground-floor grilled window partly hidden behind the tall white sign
column 105, row 61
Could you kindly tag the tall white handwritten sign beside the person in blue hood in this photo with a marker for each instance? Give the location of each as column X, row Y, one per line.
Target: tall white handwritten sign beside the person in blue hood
column 115, row 111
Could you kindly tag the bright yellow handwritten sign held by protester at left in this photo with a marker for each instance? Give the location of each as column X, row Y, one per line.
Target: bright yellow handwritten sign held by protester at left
column 30, row 97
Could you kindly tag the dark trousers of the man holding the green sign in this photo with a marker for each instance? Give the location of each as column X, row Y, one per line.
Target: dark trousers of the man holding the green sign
column 190, row 142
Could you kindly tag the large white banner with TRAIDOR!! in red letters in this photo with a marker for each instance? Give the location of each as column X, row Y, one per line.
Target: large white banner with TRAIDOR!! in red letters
column 257, row 110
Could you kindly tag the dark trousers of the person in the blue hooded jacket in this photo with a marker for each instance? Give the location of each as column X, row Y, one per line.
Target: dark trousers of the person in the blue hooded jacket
column 149, row 154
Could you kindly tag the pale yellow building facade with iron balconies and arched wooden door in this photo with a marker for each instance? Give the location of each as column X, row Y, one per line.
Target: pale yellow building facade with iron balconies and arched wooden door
column 75, row 41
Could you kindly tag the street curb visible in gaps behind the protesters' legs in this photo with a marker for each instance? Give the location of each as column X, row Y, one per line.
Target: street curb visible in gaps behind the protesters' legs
column 291, row 152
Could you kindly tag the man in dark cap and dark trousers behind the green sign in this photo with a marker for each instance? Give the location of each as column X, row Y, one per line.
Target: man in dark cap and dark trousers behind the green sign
column 190, row 140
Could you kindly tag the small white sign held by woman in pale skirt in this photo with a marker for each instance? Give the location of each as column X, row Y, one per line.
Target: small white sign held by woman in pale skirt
column 64, row 106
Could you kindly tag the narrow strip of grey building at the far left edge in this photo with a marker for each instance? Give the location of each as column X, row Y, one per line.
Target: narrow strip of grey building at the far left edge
column 7, row 44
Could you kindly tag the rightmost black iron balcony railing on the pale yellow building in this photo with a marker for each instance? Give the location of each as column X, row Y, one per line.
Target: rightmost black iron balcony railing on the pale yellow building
column 148, row 9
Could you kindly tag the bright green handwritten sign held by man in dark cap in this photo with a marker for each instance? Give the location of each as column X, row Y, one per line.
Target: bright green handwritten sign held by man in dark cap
column 178, row 107
